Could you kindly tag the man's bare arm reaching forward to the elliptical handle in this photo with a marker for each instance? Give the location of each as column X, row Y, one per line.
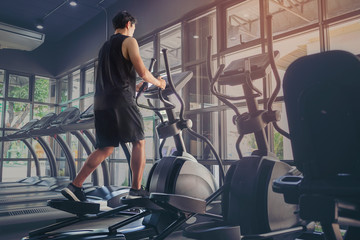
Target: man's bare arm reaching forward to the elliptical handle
column 132, row 49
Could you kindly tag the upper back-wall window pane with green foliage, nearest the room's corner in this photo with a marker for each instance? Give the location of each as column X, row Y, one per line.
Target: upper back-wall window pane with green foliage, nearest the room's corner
column 45, row 90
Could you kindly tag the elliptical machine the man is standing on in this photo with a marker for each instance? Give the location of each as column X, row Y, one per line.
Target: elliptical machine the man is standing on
column 178, row 184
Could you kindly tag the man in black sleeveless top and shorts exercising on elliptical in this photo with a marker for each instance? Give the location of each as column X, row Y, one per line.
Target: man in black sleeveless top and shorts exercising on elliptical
column 117, row 118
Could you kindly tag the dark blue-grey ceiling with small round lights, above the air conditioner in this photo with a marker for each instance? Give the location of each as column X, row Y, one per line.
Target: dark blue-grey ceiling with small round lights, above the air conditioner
column 59, row 17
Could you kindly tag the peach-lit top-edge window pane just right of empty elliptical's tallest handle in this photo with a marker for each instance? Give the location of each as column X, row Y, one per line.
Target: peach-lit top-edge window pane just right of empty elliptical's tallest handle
column 289, row 15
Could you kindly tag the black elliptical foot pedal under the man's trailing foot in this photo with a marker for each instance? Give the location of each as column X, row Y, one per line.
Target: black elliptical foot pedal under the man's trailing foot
column 78, row 208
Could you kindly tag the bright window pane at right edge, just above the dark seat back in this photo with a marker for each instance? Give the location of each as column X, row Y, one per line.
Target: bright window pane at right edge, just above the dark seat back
column 345, row 36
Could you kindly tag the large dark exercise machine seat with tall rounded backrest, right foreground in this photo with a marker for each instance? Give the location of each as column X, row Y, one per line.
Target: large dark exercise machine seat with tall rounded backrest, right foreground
column 321, row 94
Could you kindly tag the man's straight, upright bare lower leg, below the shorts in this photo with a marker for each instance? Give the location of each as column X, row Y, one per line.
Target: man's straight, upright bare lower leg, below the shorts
column 137, row 163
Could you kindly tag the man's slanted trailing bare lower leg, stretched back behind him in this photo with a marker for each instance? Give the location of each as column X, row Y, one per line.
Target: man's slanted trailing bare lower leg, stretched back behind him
column 91, row 163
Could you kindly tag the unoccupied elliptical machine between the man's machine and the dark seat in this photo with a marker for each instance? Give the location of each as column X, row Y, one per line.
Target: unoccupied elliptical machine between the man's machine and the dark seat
column 251, row 210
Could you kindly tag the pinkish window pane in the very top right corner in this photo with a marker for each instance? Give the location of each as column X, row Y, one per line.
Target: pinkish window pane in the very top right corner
column 338, row 7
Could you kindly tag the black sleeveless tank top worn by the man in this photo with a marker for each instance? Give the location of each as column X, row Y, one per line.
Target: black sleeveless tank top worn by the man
column 115, row 83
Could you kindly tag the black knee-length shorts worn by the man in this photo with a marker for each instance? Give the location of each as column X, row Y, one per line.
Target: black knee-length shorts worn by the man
column 120, row 125
